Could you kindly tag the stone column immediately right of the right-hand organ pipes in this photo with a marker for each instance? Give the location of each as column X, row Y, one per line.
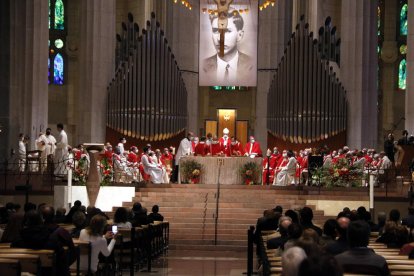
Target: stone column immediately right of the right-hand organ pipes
column 359, row 63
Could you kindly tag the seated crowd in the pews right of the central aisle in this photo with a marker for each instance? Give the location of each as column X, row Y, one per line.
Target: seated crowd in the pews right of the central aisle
column 340, row 246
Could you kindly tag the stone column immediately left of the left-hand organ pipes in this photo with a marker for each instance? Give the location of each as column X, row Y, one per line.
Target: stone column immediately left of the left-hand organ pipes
column 96, row 67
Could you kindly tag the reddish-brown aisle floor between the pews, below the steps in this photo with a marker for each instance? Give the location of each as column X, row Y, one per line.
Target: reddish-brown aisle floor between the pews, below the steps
column 199, row 263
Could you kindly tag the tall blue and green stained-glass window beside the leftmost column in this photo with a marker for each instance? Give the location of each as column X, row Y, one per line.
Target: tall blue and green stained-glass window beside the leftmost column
column 57, row 42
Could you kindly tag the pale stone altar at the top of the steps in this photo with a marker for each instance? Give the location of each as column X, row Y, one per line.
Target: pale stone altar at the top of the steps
column 228, row 167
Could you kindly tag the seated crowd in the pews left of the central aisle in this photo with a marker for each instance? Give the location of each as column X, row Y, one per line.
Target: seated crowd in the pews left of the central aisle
column 40, row 227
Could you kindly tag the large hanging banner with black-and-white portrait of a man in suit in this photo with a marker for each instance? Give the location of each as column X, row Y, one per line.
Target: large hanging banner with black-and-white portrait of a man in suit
column 238, row 65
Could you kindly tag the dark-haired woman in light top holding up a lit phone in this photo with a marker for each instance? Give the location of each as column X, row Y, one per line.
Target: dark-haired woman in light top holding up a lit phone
column 94, row 234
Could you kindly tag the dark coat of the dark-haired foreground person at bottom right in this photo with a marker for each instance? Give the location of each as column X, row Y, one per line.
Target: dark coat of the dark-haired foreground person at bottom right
column 363, row 260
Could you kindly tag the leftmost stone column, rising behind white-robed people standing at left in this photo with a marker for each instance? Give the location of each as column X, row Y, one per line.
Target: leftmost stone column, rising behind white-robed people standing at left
column 28, row 93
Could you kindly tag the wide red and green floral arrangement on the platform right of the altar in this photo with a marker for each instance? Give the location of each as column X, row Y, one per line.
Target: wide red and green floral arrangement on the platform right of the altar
column 340, row 174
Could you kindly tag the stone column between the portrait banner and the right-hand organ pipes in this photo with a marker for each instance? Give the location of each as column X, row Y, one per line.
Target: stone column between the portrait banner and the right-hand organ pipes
column 274, row 33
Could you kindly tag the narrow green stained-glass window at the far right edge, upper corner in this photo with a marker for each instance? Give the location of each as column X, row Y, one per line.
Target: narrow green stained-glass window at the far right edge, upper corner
column 402, row 44
